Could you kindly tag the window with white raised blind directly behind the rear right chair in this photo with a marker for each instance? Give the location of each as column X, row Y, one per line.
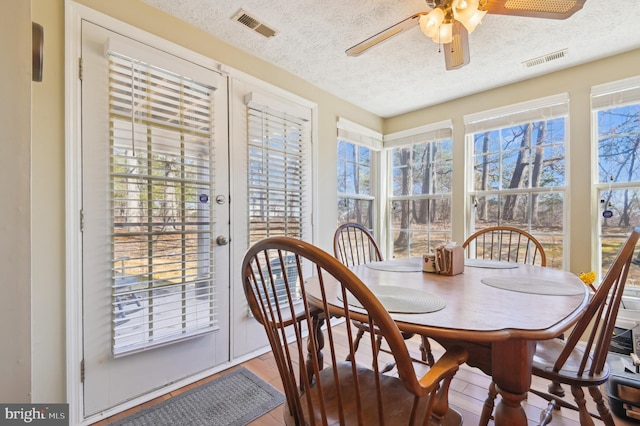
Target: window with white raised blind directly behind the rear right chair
column 518, row 170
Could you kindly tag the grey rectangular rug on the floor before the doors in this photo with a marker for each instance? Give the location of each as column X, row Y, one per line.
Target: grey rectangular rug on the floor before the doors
column 234, row 399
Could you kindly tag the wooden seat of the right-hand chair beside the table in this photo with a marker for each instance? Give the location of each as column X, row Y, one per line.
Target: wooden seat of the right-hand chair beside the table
column 548, row 351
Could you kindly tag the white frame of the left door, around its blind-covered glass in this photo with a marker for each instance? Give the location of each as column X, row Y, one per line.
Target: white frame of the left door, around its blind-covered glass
column 111, row 380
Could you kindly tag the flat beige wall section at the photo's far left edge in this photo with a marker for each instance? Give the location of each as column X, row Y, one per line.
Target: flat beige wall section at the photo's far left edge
column 15, row 211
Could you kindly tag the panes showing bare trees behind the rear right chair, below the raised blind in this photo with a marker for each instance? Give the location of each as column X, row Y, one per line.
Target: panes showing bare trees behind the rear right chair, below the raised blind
column 519, row 180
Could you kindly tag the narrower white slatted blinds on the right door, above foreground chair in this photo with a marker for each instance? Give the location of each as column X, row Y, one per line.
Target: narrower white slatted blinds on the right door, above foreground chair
column 279, row 154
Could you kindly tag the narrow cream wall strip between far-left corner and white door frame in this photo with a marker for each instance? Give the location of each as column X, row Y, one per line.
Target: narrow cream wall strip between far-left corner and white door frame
column 47, row 202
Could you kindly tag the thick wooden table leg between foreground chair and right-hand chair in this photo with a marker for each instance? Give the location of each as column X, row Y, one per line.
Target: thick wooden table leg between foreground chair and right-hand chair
column 511, row 369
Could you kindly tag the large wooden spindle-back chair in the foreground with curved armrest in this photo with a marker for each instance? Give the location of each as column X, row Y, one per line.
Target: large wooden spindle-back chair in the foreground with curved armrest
column 340, row 392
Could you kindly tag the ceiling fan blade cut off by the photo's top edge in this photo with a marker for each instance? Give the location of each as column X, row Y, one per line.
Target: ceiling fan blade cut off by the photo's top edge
column 552, row 9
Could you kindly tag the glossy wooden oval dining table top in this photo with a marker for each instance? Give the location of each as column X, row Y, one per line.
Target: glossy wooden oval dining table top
column 480, row 305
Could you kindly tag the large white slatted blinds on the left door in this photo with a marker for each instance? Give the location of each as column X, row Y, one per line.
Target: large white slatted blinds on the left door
column 161, row 128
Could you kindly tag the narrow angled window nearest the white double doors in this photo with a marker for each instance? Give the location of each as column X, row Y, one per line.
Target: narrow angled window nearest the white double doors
column 358, row 152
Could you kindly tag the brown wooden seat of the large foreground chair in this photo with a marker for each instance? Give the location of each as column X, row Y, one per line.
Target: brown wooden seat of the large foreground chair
column 397, row 403
